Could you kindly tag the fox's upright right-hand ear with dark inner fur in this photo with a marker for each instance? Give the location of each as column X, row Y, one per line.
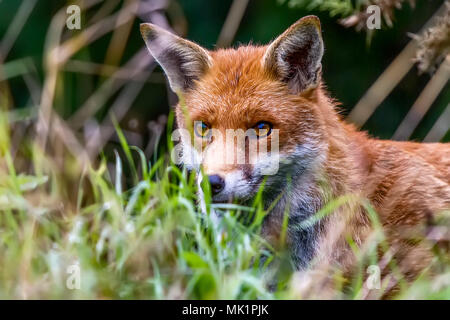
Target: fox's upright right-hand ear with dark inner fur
column 295, row 56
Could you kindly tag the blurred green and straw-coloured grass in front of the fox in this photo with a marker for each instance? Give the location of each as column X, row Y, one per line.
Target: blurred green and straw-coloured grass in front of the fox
column 146, row 242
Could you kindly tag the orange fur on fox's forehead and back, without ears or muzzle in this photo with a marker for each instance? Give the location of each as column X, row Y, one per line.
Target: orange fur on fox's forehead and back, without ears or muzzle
column 405, row 181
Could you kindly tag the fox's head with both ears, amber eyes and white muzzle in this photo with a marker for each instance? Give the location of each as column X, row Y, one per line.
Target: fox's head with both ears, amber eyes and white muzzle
column 251, row 115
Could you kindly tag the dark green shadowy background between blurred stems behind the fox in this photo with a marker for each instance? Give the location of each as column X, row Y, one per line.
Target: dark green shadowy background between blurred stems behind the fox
column 350, row 64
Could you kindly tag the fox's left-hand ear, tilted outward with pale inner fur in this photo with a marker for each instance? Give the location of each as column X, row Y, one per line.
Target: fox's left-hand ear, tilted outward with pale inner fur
column 182, row 61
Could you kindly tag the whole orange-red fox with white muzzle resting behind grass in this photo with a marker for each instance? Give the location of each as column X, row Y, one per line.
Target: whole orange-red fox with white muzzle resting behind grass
column 278, row 88
